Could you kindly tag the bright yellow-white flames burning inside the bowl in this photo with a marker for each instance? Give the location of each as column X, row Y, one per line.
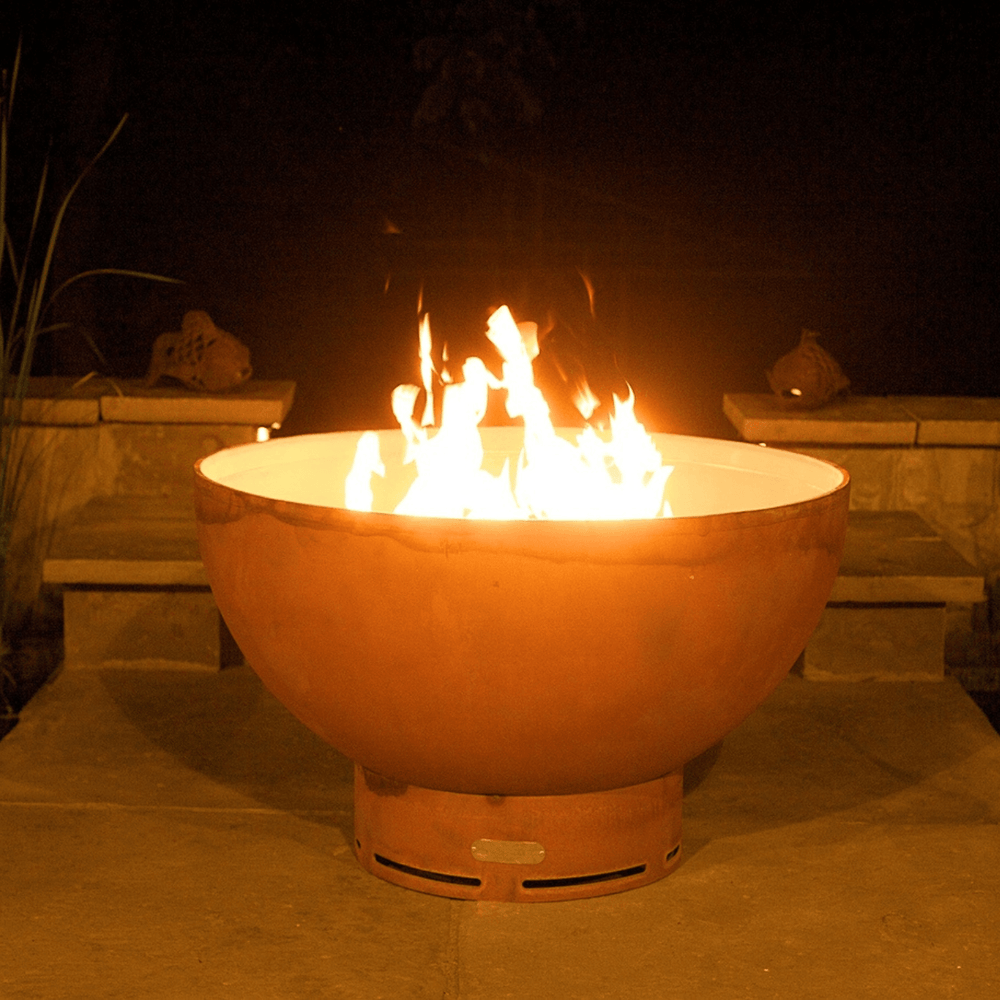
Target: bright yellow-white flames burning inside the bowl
column 594, row 477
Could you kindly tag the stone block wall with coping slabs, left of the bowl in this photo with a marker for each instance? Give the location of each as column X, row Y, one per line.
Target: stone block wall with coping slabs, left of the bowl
column 107, row 438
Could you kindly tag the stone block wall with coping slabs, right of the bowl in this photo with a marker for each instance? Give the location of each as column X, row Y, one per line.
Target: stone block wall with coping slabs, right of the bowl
column 936, row 456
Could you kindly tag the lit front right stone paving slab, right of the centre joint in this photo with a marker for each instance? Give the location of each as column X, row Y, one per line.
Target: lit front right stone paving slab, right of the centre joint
column 743, row 919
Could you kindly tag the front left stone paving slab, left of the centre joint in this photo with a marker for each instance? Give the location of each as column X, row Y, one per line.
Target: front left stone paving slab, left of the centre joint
column 221, row 903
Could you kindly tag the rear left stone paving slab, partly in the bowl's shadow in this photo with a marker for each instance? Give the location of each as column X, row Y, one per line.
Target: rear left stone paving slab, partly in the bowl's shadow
column 163, row 739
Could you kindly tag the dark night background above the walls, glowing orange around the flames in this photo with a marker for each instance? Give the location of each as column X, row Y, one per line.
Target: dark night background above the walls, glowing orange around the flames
column 724, row 176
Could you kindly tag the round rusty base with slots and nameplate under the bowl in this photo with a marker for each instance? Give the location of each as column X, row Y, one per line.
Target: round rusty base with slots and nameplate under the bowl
column 518, row 848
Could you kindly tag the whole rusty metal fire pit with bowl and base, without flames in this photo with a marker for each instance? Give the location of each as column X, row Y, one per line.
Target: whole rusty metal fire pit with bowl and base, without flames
column 519, row 697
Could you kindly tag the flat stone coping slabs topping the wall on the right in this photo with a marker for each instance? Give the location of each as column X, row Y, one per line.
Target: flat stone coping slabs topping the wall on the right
column 869, row 420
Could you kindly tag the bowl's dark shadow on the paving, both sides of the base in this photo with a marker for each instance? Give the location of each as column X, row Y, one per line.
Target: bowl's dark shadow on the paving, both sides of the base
column 228, row 728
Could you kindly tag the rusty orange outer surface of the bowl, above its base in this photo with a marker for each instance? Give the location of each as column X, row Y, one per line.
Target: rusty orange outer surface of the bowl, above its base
column 533, row 658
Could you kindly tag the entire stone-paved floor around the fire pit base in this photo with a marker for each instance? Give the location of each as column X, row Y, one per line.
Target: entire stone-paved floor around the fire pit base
column 172, row 835
